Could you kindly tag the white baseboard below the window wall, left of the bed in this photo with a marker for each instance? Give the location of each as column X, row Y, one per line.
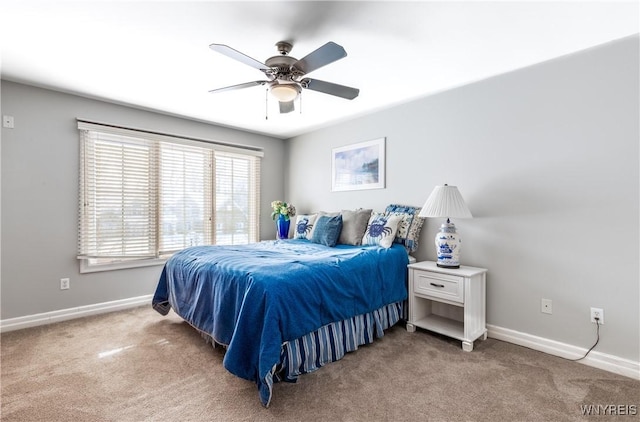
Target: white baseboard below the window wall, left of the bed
column 12, row 324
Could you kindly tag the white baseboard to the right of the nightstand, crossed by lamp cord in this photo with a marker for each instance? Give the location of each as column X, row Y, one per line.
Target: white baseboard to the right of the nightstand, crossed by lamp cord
column 595, row 359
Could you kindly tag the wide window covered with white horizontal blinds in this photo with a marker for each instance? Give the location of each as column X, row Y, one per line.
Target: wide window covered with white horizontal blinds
column 144, row 196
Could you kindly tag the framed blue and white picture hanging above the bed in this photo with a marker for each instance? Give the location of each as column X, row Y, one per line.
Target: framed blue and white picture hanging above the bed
column 358, row 166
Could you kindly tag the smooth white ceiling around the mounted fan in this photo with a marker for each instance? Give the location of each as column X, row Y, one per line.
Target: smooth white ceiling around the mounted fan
column 155, row 55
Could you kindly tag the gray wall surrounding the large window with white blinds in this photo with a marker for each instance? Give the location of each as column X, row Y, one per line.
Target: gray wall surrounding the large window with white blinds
column 40, row 197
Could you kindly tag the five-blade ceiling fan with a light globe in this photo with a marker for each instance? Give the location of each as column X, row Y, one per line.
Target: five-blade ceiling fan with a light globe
column 286, row 75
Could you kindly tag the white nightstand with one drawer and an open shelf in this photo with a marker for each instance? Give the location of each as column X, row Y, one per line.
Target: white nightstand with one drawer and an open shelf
column 448, row 301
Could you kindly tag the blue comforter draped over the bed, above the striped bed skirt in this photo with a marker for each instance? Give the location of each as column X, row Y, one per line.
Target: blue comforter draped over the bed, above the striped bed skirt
column 253, row 298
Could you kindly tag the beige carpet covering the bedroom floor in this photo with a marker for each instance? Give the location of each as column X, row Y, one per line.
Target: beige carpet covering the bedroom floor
column 136, row 365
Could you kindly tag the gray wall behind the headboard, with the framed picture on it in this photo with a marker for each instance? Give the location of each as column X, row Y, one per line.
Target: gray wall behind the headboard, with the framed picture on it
column 547, row 159
